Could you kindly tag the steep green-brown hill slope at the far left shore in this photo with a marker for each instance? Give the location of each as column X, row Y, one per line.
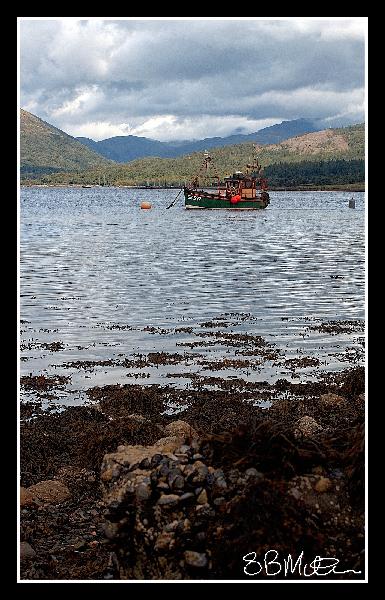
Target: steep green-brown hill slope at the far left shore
column 46, row 149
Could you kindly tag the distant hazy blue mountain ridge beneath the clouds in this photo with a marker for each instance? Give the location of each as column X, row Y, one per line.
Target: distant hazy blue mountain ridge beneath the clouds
column 126, row 148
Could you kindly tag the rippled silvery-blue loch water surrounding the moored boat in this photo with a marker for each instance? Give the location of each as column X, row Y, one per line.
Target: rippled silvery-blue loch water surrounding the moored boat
column 91, row 260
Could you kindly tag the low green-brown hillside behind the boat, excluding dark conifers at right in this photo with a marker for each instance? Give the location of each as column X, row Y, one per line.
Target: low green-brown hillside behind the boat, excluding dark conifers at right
column 344, row 144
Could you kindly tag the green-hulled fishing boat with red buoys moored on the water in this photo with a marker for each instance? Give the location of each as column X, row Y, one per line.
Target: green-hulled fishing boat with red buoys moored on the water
column 240, row 191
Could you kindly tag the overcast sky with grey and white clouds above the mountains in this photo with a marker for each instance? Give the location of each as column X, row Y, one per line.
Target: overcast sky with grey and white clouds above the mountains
column 189, row 79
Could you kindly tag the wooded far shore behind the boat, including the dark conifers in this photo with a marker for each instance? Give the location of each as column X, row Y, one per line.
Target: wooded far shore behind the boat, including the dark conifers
column 332, row 156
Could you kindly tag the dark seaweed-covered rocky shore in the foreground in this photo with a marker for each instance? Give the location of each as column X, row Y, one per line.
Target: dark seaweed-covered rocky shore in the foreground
column 121, row 490
